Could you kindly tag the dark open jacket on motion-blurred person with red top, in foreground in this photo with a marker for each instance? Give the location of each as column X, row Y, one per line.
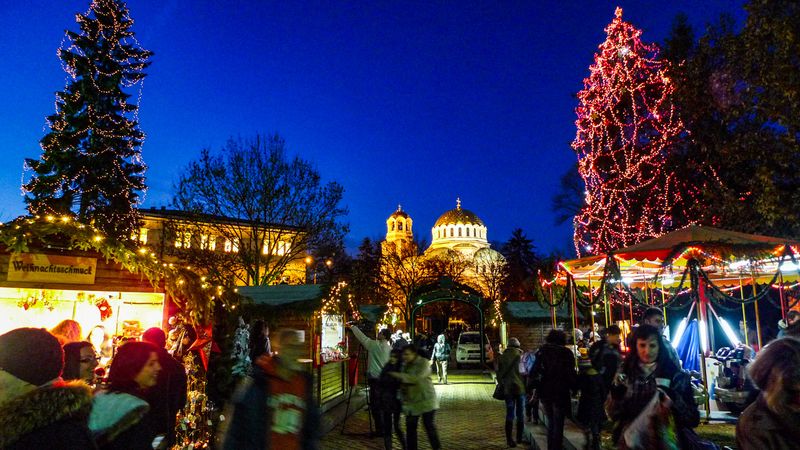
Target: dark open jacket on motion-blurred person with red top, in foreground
column 253, row 415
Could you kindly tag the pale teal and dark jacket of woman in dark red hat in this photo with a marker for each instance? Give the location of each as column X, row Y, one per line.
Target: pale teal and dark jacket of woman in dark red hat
column 120, row 421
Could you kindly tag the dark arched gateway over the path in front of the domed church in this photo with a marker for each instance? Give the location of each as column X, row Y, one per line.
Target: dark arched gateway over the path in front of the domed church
column 446, row 290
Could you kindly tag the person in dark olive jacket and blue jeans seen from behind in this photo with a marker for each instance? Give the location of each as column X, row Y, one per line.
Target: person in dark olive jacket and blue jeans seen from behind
column 509, row 376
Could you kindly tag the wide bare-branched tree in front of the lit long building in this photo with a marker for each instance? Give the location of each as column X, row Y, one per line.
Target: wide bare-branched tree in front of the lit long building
column 263, row 208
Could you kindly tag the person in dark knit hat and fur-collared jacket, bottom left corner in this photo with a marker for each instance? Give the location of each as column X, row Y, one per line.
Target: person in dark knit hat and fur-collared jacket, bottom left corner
column 37, row 410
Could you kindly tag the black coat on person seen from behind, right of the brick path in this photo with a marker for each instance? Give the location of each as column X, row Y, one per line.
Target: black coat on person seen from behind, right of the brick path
column 555, row 370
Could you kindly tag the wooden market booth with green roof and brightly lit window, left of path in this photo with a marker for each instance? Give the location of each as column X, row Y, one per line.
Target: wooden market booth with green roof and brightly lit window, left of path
column 308, row 308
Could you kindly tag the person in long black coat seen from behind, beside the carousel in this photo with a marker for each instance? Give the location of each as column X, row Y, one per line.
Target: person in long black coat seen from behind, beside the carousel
column 555, row 369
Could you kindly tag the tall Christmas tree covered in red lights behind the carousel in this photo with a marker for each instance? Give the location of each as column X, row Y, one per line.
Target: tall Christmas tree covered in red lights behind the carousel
column 626, row 128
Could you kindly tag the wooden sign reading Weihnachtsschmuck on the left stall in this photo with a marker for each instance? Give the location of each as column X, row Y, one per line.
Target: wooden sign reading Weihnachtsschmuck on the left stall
column 35, row 267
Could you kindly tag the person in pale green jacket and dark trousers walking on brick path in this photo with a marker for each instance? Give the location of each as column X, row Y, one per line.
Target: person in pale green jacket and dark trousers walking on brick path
column 419, row 397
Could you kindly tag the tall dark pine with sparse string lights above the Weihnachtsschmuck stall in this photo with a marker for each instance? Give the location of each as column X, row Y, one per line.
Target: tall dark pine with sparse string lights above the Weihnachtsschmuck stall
column 91, row 160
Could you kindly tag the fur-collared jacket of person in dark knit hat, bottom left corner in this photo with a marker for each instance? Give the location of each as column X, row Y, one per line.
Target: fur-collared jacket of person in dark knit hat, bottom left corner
column 53, row 416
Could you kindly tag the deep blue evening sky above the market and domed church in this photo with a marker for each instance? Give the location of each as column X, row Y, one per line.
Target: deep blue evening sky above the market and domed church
column 401, row 102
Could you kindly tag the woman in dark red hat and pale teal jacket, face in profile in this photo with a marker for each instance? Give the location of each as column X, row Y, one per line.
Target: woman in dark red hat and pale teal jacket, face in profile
column 119, row 418
